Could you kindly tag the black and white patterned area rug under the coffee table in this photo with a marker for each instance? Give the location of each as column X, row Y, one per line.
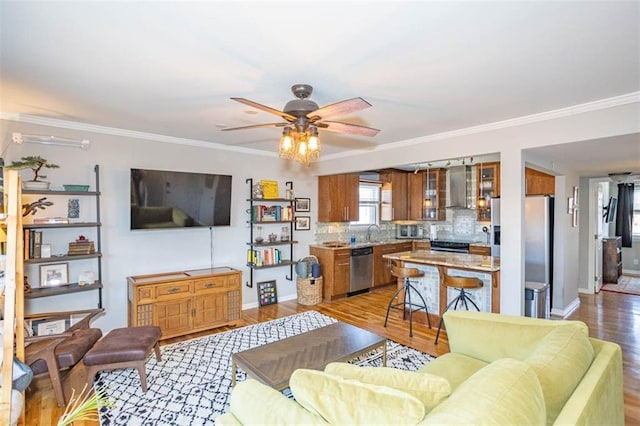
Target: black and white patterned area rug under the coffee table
column 191, row 385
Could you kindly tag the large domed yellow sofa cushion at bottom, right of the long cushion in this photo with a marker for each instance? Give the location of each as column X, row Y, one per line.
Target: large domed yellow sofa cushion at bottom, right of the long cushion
column 505, row 392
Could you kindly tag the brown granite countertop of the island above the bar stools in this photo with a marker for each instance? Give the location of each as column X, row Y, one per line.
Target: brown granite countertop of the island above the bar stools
column 475, row 262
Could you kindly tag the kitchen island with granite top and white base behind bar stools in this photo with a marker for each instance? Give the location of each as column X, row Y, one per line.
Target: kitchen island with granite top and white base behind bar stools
column 435, row 264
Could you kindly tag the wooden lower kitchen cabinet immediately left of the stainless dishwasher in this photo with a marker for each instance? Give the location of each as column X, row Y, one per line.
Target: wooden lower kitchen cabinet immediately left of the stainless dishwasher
column 336, row 266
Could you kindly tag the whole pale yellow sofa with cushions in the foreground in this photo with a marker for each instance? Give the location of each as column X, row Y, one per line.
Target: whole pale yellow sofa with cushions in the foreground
column 501, row 370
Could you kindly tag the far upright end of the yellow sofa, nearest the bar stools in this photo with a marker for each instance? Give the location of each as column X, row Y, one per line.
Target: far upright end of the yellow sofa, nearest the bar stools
column 489, row 336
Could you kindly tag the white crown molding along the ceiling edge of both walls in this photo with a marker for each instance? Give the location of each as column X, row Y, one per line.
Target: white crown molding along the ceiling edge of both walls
column 601, row 104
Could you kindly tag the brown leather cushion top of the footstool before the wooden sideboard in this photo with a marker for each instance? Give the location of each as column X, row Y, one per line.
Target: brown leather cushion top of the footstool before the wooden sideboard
column 123, row 344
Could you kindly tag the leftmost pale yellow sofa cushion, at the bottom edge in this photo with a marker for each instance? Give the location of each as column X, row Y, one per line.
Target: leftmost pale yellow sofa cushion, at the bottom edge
column 254, row 403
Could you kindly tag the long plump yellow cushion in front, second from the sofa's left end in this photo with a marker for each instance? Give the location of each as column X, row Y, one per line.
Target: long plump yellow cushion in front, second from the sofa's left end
column 346, row 401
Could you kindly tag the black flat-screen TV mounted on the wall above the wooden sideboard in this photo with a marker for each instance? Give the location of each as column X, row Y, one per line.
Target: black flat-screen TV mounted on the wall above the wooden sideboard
column 166, row 199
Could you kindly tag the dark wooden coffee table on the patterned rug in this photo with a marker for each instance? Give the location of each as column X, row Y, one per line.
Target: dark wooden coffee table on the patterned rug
column 274, row 362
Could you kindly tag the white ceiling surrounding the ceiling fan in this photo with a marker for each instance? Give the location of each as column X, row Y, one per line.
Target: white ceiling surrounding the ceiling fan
column 169, row 68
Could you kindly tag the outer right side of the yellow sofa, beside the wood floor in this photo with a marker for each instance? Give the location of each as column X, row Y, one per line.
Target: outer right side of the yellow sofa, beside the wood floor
column 599, row 397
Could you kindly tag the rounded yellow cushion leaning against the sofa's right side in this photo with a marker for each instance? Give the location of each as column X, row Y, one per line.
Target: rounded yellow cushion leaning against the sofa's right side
column 560, row 360
